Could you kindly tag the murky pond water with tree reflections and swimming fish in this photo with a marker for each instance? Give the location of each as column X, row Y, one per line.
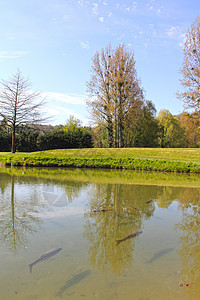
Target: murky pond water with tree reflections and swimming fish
column 85, row 216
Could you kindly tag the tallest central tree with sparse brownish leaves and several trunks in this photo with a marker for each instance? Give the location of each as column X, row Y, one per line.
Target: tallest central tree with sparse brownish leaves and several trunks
column 113, row 90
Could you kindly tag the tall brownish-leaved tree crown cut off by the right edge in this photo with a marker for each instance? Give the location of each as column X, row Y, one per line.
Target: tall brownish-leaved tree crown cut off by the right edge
column 191, row 68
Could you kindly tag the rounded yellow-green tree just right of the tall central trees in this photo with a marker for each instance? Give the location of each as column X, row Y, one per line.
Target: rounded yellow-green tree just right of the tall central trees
column 172, row 134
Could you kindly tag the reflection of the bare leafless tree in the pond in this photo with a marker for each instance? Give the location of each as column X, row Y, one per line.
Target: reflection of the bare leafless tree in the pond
column 18, row 218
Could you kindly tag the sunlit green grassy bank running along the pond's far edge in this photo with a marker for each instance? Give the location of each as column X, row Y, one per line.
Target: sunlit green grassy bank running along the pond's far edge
column 185, row 160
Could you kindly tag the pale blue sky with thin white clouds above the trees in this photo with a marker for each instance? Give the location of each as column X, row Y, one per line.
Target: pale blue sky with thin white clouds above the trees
column 52, row 42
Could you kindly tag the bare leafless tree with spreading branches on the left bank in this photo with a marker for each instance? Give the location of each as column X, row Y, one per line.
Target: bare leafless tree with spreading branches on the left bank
column 18, row 104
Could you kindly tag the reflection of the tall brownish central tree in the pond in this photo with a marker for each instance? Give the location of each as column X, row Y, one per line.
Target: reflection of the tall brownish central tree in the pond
column 120, row 219
